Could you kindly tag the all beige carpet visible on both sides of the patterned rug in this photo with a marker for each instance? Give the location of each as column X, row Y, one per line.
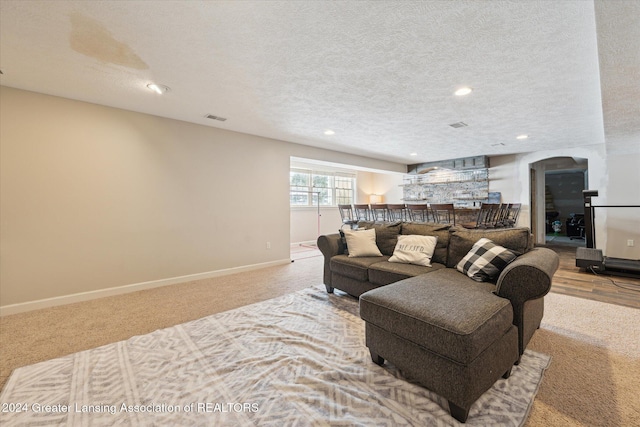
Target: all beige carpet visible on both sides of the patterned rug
column 592, row 380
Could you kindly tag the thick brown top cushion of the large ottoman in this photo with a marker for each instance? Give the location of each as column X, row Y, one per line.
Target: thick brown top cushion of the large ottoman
column 444, row 312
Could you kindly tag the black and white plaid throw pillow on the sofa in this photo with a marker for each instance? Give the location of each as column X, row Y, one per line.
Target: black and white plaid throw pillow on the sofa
column 485, row 260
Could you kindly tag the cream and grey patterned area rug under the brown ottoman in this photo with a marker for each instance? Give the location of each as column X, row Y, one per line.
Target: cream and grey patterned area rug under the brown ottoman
column 293, row 360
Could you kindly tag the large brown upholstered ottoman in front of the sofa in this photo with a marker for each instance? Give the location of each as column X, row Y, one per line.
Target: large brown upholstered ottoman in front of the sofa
column 451, row 335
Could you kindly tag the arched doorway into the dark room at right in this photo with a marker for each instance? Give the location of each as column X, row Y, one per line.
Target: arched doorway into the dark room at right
column 557, row 211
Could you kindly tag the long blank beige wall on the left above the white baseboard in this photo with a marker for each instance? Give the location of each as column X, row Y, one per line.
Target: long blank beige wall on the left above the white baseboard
column 96, row 198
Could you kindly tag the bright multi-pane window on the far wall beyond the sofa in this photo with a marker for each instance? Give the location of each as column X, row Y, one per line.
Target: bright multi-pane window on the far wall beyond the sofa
column 310, row 188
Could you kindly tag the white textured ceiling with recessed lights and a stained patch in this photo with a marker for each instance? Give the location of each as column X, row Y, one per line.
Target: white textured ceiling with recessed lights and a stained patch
column 381, row 74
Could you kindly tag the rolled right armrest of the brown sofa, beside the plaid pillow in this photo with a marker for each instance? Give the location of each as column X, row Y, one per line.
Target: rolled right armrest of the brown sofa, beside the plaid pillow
column 528, row 277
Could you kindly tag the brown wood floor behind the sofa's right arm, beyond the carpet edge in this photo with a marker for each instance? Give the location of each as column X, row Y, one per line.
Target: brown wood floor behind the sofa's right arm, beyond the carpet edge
column 569, row 280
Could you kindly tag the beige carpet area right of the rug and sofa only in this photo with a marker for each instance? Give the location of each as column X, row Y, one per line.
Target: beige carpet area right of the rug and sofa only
column 593, row 379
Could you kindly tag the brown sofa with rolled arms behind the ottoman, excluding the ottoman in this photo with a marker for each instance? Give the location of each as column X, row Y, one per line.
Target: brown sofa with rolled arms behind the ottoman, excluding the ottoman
column 524, row 282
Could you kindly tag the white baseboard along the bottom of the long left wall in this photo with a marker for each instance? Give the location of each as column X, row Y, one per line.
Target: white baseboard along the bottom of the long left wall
column 101, row 293
